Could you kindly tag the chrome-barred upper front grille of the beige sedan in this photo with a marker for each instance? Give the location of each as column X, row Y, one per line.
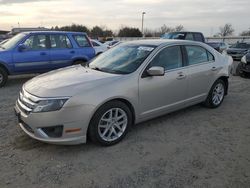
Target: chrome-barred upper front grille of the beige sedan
column 26, row 102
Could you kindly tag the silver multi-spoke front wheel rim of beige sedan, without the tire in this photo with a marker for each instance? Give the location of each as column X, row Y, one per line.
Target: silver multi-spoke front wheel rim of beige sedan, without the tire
column 112, row 124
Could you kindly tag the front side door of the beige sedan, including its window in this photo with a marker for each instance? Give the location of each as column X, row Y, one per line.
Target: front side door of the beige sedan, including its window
column 160, row 94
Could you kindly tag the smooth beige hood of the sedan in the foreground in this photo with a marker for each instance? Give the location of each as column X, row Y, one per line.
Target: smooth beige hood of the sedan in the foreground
column 67, row 81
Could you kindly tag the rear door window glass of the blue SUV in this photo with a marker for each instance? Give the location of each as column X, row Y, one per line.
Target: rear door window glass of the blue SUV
column 60, row 41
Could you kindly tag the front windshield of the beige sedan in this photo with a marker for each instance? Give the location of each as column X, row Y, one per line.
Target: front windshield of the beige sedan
column 123, row 59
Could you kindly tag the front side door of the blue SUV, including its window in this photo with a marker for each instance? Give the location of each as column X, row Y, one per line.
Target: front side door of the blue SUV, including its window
column 35, row 58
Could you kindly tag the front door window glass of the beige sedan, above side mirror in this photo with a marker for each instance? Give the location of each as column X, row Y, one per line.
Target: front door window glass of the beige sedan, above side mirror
column 168, row 58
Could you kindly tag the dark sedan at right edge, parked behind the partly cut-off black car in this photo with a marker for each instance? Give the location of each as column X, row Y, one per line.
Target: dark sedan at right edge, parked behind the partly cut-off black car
column 238, row 50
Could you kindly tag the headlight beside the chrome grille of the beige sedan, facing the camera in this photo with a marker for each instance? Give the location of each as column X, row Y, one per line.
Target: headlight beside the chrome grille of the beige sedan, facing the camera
column 49, row 105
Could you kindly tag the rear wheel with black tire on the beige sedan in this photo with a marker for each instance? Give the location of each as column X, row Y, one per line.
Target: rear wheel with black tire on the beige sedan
column 216, row 94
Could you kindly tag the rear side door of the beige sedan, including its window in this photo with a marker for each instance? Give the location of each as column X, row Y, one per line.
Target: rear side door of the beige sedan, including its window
column 201, row 69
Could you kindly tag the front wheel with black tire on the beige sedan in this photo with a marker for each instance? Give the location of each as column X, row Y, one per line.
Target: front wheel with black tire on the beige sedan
column 110, row 123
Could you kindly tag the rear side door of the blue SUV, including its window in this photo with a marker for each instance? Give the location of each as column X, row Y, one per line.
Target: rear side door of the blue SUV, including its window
column 61, row 51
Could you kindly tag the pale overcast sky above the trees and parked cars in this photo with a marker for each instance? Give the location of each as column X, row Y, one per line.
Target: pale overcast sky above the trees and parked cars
column 195, row 15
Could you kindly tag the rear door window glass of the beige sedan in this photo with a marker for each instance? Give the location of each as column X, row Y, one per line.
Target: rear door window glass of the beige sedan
column 196, row 55
